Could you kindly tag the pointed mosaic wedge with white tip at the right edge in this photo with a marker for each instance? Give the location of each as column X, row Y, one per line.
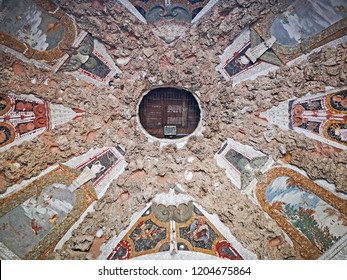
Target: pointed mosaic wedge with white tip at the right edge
column 322, row 117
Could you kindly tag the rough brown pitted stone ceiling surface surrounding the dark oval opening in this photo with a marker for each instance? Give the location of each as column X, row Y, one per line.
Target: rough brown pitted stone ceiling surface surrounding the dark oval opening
column 229, row 111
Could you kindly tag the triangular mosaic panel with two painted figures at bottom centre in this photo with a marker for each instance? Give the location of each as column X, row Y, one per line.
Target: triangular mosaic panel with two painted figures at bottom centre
column 173, row 223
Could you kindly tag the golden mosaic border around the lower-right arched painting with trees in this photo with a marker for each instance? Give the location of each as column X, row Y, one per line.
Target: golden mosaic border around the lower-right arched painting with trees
column 306, row 248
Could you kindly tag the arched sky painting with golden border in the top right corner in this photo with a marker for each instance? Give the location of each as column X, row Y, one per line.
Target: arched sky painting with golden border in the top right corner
column 303, row 26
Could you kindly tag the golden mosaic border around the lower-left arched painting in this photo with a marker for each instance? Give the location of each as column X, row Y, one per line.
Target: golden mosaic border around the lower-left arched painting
column 62, row 174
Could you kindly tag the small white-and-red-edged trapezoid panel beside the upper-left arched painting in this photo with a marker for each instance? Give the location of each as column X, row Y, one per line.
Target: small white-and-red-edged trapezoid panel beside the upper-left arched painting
column 91, row 62
